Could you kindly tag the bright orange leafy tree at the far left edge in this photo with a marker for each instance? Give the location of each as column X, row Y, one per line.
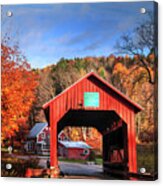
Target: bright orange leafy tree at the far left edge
column 18, row 91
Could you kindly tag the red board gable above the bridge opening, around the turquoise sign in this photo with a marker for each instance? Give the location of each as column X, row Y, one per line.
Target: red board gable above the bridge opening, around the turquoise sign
column 74, row 97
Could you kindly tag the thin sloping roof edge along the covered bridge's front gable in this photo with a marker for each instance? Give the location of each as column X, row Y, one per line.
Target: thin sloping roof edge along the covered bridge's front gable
column 111, row 87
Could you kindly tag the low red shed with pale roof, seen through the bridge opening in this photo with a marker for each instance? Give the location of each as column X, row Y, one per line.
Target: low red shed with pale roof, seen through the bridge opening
column 73, row 149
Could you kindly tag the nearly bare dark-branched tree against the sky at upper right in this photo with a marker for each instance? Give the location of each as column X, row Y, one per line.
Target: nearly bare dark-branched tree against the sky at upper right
column 142, row 41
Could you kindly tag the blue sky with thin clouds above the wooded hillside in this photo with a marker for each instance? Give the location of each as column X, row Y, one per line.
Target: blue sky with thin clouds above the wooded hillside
column 47, row 32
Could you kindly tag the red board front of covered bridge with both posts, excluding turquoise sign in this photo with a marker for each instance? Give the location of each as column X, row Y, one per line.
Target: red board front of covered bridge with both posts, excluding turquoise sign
column 110, row 99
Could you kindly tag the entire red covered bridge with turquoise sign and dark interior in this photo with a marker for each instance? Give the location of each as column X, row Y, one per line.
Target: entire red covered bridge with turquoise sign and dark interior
column 92, row 102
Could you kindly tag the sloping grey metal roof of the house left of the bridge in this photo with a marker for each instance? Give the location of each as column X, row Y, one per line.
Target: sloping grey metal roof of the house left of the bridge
column 38, row 127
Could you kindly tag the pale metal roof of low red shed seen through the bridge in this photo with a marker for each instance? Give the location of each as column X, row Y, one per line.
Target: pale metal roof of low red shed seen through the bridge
column 75, row 144
